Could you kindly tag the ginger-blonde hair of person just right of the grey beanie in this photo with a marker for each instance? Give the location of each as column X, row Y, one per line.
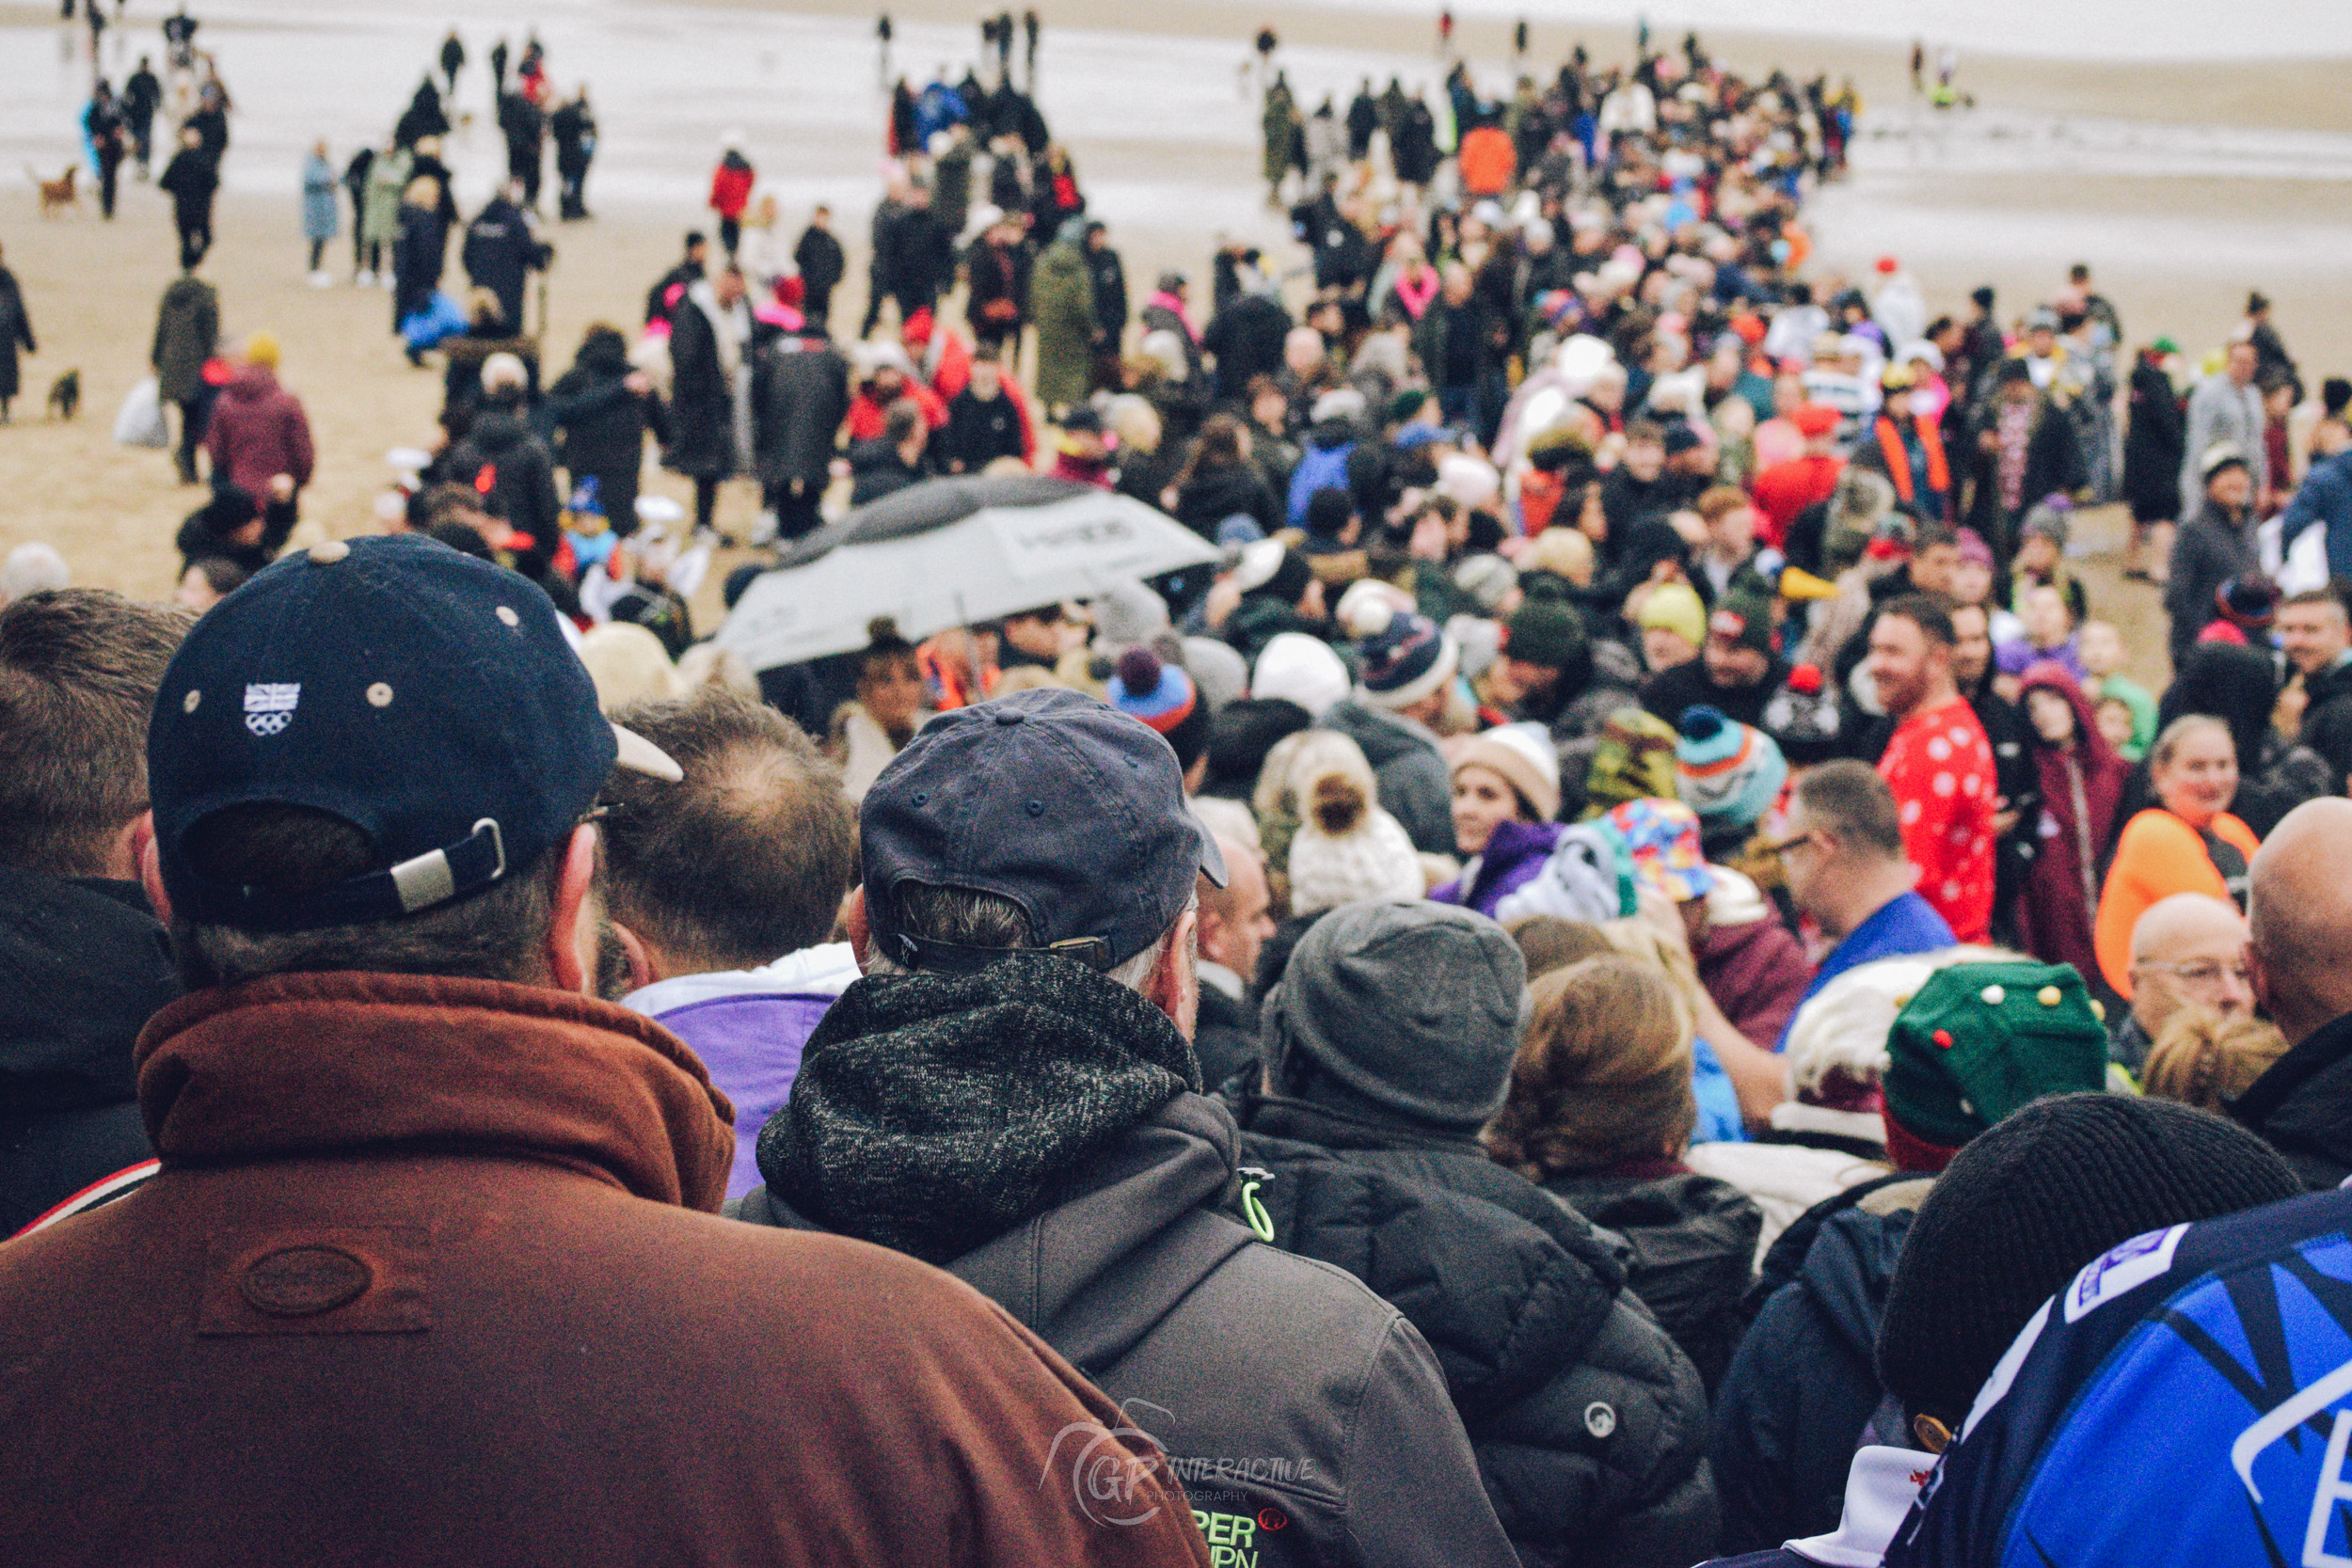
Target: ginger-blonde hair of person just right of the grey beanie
column 1603, row 1073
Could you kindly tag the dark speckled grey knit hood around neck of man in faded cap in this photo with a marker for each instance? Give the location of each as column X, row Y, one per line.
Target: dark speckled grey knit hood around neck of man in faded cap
column 933, row 1113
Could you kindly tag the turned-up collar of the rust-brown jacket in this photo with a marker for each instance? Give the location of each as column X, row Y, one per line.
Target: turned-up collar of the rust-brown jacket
column 356, row 1064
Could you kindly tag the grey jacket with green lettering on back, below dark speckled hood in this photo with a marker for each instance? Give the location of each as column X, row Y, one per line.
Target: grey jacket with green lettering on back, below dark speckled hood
column 1307, row 1419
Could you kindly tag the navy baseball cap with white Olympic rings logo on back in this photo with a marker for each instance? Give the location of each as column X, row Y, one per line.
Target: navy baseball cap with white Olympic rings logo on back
column 425, row 697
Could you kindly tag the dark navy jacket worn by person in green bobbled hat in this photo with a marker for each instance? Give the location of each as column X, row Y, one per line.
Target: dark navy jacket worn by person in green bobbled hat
column 1803, row 1391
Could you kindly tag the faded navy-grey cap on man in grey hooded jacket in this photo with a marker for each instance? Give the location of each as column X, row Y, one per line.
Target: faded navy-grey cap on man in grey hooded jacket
column 1053, row 800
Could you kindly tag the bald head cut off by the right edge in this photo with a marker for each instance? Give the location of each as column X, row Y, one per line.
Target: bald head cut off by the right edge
column 2301, row 918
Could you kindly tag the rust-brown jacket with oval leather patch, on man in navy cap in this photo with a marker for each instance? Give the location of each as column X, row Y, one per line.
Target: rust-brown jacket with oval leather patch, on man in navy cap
column 425, row 1282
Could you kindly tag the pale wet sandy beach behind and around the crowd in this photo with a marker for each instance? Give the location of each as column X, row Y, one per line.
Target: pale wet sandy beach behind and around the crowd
column 2181, row 185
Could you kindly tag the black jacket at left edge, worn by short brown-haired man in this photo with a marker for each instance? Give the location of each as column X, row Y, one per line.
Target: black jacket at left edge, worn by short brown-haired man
column 83, row 967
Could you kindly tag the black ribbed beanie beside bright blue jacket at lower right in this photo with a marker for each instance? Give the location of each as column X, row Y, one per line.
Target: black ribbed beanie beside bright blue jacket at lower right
column 2026, row 1205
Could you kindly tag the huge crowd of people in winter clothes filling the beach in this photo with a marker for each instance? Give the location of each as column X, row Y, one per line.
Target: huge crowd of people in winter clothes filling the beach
column 1629, row 977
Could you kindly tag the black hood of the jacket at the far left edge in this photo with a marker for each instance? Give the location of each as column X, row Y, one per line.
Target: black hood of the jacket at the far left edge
column 86, row 967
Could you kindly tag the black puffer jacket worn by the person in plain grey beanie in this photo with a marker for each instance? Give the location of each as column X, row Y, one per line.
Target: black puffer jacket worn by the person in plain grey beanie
column 1586, row 1421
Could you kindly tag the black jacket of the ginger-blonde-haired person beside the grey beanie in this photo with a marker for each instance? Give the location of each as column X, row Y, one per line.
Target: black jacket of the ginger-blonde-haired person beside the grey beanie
column 1695, row 1242
